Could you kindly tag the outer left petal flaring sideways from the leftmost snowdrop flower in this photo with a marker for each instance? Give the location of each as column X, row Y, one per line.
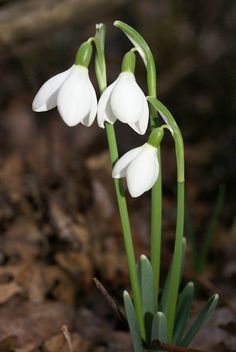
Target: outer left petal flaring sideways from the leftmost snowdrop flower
column 46, row 98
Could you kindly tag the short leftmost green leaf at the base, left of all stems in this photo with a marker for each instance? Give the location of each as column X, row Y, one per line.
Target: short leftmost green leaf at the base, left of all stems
column 131, row 317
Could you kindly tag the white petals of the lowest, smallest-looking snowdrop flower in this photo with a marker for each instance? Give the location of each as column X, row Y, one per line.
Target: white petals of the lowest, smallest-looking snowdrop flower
column 140, row 167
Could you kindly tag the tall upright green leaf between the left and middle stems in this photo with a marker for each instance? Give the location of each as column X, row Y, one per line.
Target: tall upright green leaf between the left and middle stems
column 145, row 274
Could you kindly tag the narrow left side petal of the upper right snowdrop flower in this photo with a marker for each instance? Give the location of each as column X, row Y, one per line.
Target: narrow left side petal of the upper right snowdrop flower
column 104, row 111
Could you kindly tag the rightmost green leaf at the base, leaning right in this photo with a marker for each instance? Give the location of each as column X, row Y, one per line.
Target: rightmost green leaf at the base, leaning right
column 200, row 320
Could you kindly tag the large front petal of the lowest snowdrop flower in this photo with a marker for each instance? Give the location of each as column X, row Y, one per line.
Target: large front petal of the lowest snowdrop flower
column 143, row 171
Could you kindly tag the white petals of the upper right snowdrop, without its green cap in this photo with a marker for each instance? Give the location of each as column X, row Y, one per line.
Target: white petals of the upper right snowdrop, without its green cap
column 124, row 100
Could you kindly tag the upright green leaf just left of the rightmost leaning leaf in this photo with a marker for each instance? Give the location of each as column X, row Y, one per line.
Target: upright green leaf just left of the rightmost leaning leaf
column 183, row 311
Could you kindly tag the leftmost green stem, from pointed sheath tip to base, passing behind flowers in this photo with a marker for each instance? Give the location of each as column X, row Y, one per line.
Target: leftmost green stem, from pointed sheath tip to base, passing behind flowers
column 100, row 67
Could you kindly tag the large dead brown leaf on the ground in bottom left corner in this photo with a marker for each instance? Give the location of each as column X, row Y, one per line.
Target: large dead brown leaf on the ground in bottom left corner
column 33, row 323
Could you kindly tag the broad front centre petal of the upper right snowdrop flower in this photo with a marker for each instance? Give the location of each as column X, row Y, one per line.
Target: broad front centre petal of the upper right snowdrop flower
column 127, row 99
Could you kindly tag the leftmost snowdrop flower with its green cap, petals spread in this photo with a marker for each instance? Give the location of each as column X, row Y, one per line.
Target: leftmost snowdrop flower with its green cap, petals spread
column 71, row 91
